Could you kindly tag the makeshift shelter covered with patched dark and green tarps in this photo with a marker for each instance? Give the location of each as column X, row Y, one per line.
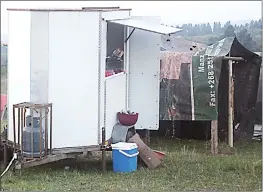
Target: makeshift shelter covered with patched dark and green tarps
column 200, row 92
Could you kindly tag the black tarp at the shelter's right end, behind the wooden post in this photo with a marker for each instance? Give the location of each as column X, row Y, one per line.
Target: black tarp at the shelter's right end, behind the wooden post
column 246, row 80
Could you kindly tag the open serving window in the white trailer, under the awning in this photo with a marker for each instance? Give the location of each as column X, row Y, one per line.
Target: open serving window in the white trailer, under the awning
column 115, row 49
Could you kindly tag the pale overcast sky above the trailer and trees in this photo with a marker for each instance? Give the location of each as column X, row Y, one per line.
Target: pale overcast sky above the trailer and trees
column 172, row 12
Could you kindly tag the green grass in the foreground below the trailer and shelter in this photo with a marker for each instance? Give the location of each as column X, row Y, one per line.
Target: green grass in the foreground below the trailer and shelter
column 188, row 166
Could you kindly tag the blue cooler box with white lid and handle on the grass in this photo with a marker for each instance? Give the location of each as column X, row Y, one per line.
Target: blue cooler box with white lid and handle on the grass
column 124, row 157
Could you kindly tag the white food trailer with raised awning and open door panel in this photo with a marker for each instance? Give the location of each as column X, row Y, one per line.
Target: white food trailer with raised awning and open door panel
column 59, row 57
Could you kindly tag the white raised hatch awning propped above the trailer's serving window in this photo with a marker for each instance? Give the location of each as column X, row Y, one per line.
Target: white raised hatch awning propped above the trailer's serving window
column 146, row 26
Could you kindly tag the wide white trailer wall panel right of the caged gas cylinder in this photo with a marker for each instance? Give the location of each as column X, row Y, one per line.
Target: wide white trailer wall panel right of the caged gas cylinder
column 73, row 77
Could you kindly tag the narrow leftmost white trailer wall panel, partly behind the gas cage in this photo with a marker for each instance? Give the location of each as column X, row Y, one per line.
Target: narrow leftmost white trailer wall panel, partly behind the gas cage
column 19, row 31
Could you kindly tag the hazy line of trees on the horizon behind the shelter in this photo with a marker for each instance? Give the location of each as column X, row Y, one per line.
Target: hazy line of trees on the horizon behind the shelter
column 249, row 34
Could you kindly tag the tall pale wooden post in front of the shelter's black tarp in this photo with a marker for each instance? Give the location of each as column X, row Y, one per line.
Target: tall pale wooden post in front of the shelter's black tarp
column 230, row 104
